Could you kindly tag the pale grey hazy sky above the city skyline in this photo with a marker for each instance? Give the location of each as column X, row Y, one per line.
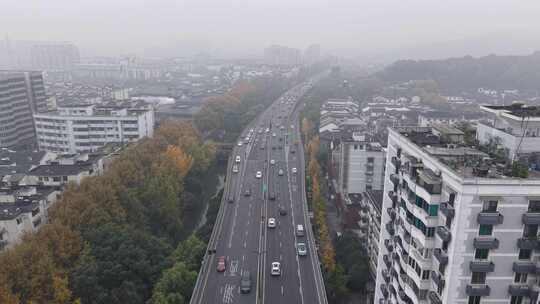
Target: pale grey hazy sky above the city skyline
column 242, row 27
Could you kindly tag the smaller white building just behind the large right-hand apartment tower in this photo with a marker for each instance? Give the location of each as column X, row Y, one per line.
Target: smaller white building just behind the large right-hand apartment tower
column 361, row 164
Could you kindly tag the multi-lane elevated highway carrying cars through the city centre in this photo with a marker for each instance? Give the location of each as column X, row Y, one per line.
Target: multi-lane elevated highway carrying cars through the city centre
column 242, row 235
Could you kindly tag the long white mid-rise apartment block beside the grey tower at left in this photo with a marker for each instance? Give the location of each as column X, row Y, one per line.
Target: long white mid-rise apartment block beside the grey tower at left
column 86, row 128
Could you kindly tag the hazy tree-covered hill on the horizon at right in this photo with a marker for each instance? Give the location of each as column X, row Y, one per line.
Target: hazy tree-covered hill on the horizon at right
column 468, row 73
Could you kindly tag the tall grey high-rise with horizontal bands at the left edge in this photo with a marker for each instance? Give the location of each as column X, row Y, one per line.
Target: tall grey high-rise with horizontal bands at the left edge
column 22, row 94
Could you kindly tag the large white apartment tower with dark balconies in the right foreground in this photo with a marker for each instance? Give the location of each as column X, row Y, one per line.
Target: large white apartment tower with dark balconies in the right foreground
column 458, row 224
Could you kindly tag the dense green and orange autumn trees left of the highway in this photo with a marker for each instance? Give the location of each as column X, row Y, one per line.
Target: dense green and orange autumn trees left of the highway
column 112, row 238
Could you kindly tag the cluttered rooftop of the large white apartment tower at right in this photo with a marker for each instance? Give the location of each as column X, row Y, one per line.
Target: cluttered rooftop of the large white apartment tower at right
column 460, row 152
